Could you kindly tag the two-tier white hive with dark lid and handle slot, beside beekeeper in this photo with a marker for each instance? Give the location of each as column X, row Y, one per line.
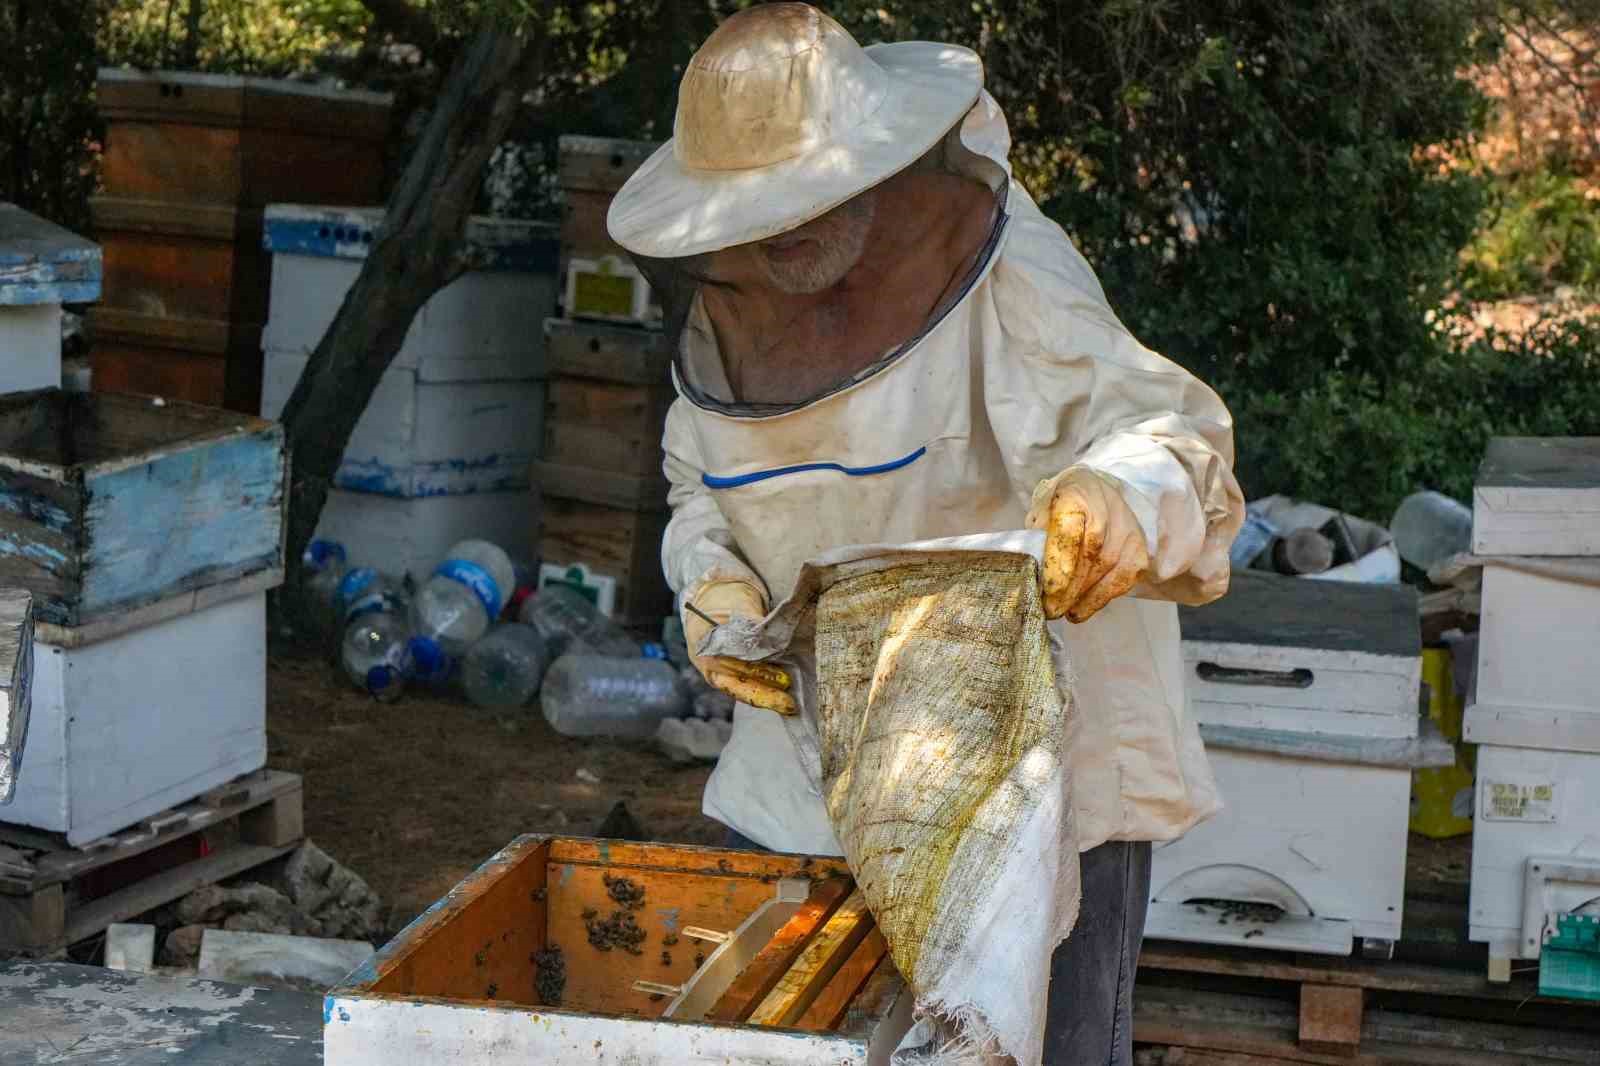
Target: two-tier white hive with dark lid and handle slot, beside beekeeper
column 1318, row 790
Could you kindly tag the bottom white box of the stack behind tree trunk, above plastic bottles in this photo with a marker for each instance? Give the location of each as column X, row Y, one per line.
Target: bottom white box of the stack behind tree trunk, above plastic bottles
column 412, row 535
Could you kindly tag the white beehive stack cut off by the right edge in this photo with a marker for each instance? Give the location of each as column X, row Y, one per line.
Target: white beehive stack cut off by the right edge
column 1535, row 713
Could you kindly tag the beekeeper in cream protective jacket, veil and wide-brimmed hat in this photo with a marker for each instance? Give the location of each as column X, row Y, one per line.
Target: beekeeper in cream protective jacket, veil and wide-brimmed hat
column 887, row 342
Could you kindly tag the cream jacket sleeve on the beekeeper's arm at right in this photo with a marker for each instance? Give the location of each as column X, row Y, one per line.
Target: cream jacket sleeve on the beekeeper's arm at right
column 1070, row 387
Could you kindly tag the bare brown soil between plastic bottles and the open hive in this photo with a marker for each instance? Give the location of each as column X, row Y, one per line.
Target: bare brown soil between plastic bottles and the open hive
column 415, row 795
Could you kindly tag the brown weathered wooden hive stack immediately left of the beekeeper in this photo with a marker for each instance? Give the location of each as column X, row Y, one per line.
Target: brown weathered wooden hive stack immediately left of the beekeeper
column 606, row 499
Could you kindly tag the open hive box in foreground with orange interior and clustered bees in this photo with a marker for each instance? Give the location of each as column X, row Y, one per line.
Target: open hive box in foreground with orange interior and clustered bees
column 506, row 968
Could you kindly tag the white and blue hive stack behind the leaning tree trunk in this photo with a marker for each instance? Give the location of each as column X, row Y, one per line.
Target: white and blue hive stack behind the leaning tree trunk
column 444, row 446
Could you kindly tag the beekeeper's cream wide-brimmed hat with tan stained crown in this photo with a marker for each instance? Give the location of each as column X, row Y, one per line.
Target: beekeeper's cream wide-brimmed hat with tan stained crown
column 783, row 118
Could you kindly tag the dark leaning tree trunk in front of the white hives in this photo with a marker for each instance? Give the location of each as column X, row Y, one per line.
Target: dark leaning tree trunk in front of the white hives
column 417, row 252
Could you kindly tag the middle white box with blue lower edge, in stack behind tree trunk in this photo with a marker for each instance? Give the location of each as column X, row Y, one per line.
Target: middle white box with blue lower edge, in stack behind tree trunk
column 422, row 438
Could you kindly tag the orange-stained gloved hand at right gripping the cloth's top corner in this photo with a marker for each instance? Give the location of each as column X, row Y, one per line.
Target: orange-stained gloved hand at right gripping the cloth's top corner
column 1095, row 548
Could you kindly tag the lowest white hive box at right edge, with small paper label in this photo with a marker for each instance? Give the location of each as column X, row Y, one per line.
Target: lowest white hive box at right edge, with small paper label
column 1532, row 806
